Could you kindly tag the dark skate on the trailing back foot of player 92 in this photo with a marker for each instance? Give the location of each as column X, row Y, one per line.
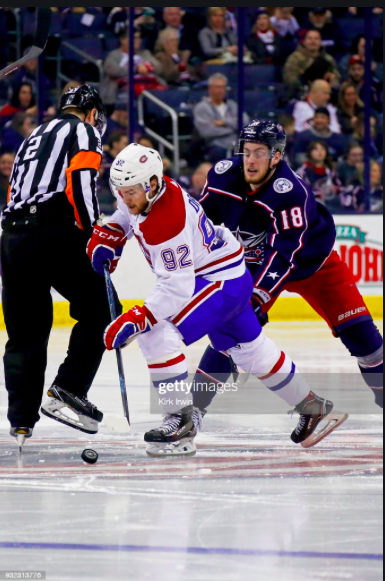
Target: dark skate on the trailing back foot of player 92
column 313, row 410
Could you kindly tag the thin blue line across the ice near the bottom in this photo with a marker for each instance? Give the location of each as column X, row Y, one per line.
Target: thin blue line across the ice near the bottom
column 193, row 550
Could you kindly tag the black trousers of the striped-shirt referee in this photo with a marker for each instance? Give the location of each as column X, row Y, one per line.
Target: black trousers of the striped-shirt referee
column 36, row 257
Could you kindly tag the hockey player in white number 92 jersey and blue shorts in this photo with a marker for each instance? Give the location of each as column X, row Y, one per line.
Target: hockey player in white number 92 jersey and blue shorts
column 203, row 289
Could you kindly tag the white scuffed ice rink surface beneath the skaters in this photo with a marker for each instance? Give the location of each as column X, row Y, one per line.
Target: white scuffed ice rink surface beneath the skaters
column 250, row 506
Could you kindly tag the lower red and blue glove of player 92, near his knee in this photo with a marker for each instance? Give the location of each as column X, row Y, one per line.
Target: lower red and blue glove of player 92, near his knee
column 126, row 328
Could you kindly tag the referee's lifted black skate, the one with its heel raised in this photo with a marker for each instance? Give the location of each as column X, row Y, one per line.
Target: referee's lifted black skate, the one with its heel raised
column 87, row 415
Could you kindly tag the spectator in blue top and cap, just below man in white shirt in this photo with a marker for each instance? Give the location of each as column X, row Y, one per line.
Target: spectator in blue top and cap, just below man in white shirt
column 319, row 131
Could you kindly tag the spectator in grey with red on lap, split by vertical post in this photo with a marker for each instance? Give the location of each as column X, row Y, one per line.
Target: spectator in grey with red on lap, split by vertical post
column 116, row 70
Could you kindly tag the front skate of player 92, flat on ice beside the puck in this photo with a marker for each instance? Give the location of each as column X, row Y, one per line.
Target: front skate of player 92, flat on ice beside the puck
column 175, row 437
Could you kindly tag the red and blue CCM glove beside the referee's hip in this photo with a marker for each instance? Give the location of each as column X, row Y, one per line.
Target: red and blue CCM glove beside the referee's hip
column 106, row 246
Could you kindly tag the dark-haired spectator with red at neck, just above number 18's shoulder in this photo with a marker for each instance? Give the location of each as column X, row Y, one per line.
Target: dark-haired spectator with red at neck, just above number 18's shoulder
column 318, row 172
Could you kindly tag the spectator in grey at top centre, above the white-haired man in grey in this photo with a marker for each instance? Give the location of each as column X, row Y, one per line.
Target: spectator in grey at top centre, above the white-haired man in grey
column 216, row 41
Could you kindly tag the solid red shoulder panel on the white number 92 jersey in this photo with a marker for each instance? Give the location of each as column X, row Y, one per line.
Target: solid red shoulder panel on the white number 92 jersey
column 167, row 218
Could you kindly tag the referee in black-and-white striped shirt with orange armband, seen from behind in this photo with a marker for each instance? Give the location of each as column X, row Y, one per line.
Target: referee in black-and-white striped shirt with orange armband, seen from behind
column 52, row 208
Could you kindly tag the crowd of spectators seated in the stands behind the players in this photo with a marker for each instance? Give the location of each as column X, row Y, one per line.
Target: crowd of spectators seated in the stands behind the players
column 320, row 72
